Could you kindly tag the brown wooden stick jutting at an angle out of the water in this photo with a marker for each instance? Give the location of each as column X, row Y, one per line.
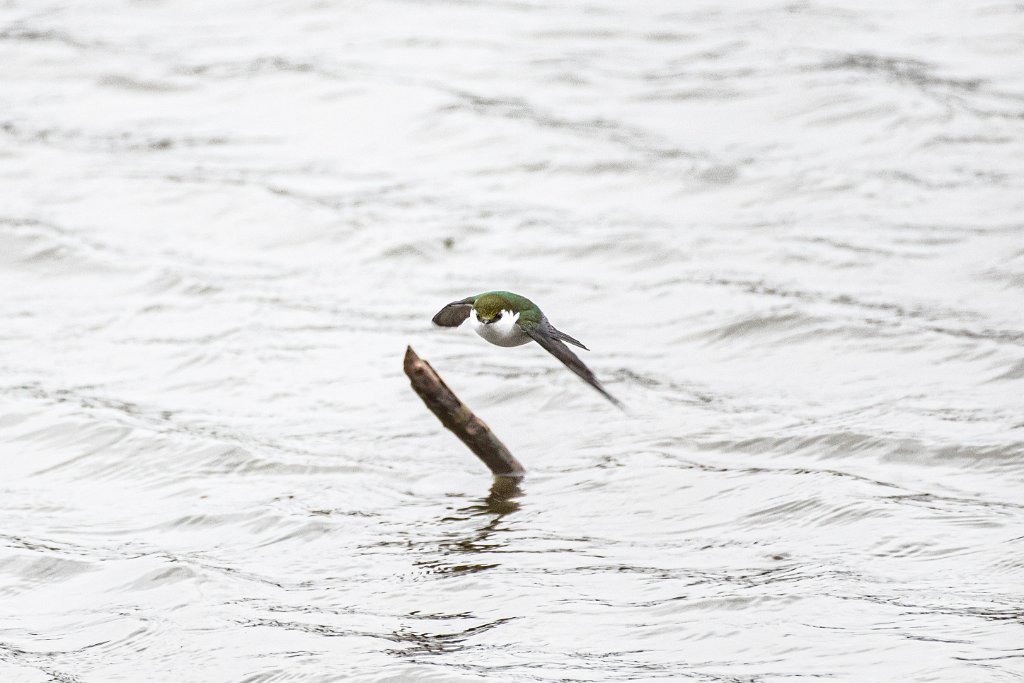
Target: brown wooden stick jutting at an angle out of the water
column 457, row 417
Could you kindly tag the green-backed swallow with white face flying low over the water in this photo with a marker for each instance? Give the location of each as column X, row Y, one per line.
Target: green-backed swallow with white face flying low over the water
column 505, row 319
